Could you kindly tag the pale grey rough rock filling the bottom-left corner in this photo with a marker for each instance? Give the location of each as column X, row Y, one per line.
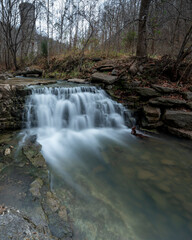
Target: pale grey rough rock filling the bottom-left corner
column 14, row 225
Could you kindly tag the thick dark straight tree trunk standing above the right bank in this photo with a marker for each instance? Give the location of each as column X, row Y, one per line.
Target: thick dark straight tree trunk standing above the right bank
column 142, row 30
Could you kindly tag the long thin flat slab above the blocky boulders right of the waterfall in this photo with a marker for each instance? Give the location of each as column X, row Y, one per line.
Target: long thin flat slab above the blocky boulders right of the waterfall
column 167, row 102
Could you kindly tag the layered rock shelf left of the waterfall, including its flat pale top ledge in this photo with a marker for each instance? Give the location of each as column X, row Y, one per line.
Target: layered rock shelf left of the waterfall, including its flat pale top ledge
column 13, row 93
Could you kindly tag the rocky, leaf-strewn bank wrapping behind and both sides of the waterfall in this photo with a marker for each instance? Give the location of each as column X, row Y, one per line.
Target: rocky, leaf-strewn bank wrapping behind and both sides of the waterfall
column 158, row 104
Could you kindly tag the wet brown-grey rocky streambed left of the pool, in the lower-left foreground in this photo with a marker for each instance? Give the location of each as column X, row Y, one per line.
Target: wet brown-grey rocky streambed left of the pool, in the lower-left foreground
column 28, row 207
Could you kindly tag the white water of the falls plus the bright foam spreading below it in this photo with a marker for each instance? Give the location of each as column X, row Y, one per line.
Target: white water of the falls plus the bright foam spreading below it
column 73, row 123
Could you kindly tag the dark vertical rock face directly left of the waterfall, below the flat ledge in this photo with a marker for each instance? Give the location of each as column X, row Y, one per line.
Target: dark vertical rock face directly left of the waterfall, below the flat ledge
column 12, row 100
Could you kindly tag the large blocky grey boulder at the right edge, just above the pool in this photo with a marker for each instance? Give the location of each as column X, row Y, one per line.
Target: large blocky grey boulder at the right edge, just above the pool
column 178, row 119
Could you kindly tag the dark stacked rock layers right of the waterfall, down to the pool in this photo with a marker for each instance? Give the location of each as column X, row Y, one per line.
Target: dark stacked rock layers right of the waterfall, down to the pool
column 157, row 107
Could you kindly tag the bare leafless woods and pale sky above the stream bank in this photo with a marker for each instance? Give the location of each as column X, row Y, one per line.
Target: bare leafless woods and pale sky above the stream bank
column 49, row 28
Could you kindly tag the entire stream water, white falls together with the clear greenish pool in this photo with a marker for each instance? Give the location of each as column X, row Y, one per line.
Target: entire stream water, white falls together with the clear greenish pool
column 115, row 186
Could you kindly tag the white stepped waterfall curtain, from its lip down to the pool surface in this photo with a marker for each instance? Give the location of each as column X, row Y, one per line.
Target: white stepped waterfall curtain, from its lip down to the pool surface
column 75, row 108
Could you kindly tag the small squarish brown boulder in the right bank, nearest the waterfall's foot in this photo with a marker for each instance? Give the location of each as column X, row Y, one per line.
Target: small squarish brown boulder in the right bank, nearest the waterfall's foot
column 152, row 114
